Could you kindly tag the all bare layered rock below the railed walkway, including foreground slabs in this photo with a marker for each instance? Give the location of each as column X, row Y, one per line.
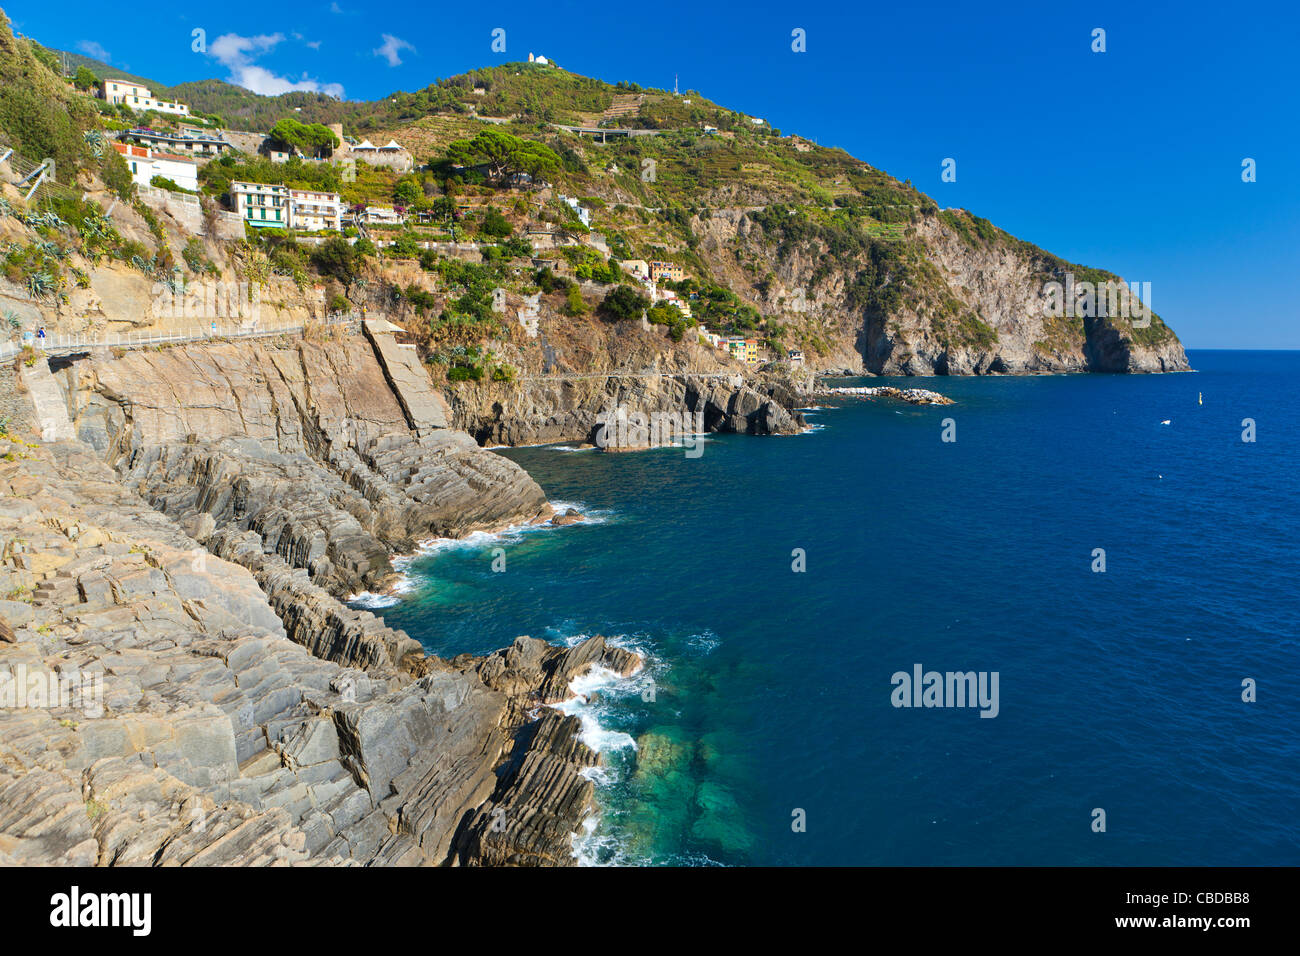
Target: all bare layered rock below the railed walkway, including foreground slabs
column 181, row 682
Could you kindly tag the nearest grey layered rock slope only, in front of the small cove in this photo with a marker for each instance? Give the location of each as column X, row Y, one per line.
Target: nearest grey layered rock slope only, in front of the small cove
column 246, row 715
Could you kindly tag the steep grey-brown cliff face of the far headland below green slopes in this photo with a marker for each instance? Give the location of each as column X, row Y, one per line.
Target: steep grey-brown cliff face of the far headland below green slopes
column 950, row 295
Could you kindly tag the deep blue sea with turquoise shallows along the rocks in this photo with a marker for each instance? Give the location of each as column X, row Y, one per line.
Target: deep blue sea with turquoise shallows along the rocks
column 768, row 697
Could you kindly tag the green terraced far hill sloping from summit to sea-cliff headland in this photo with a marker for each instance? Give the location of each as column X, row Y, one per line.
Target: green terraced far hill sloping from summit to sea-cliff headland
column 821, row 250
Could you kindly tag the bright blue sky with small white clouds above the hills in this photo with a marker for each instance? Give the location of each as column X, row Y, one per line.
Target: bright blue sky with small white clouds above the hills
column 1129, row 161
